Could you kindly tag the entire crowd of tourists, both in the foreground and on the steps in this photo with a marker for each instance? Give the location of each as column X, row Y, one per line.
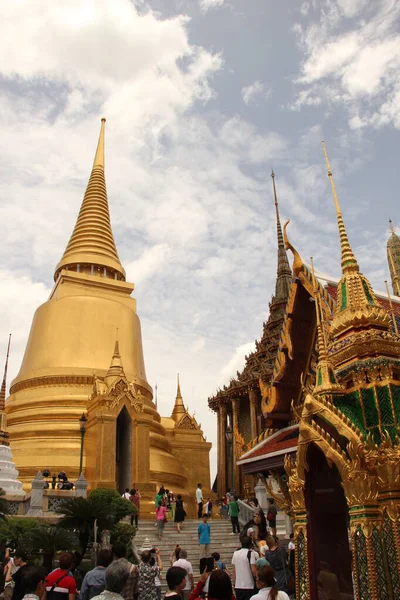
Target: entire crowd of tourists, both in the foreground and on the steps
column 262, row 569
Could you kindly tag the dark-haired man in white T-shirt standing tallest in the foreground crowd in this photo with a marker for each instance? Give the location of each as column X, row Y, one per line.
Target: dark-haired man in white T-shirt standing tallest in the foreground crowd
column 244, row 570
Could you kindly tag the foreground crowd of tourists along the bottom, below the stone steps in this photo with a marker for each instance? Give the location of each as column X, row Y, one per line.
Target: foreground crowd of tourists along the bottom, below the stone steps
column 255, row 575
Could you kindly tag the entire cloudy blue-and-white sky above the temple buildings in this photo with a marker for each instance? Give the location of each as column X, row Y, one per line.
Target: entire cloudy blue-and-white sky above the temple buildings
column 202, row 99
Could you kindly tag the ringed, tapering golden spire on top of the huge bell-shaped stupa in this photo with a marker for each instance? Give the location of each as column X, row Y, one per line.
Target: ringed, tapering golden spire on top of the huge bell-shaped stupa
column 92, row 245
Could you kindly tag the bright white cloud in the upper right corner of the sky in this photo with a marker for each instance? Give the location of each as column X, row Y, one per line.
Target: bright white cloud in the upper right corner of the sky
column 353, row 61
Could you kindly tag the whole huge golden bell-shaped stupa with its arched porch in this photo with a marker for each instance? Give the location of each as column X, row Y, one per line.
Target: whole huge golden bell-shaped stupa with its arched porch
column 84, row 354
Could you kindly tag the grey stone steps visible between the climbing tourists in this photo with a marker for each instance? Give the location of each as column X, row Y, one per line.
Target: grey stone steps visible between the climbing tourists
column 221, row 541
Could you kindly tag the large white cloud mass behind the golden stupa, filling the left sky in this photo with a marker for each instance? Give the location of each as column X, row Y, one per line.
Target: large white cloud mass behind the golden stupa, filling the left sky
column 180, row 199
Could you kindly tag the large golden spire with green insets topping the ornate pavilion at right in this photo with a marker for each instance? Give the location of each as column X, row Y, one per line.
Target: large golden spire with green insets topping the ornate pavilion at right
column 356, row 305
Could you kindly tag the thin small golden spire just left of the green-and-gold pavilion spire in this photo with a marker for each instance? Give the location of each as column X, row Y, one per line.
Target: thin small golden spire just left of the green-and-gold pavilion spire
column 325, row 382
